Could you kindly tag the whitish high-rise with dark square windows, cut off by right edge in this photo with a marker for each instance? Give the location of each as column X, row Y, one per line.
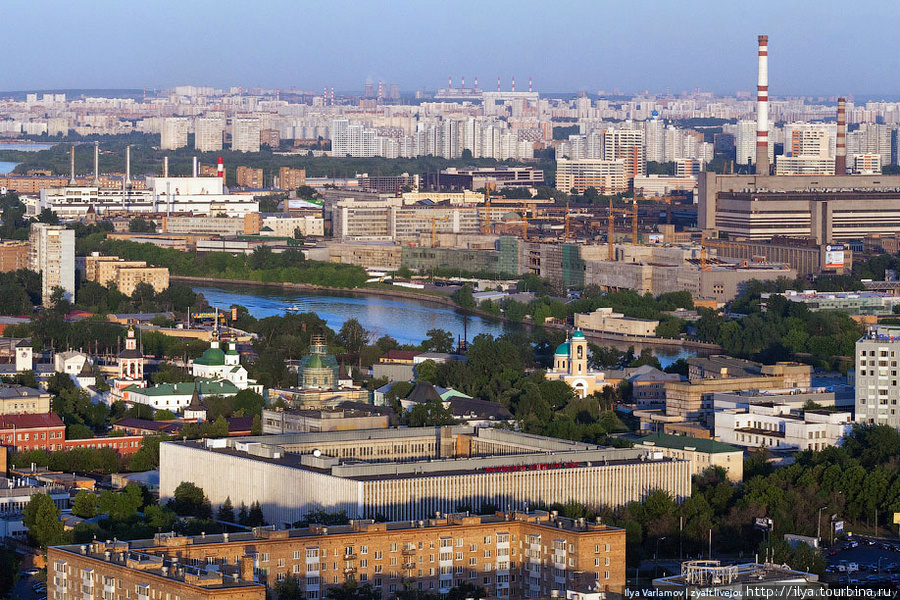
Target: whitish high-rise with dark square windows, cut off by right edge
column 877, row 391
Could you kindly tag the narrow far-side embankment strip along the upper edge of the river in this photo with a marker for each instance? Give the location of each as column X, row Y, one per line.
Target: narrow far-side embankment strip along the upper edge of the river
column 445, row 301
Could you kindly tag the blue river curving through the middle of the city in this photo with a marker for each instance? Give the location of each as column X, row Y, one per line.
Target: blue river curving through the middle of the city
column 405, row 320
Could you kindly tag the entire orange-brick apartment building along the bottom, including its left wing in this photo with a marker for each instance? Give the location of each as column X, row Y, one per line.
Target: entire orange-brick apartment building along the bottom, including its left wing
column 510, row 554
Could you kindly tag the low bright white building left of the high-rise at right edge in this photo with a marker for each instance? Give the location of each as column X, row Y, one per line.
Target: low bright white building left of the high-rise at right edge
column 779, row 427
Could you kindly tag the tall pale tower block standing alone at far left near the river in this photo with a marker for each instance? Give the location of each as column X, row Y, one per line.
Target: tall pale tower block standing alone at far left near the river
column 53, row 256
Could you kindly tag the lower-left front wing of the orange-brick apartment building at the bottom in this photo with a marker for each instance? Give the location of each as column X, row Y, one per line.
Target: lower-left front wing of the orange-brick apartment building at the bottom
column 102, row 571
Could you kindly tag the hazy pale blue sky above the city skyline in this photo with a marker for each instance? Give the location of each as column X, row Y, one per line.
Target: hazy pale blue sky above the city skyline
column 815, row 46
